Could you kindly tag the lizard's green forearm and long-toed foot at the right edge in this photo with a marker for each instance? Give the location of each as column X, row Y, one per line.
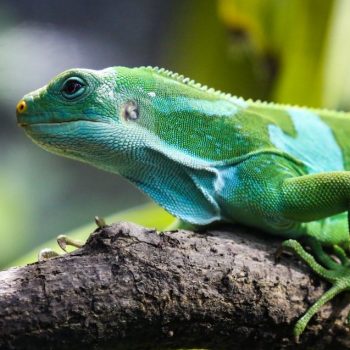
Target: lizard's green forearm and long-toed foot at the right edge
column 313, row 197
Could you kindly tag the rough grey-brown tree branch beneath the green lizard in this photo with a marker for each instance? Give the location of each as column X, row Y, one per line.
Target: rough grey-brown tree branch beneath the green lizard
column 131, row 288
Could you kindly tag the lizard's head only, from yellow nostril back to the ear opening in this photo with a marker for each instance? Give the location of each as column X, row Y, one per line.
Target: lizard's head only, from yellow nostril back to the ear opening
column 80, row 114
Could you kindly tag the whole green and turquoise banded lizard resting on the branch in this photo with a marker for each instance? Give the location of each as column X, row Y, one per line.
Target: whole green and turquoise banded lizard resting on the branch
column 206, row 156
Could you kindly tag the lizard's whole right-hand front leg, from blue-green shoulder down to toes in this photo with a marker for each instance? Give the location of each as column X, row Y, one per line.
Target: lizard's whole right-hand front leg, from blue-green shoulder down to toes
column 270, row 194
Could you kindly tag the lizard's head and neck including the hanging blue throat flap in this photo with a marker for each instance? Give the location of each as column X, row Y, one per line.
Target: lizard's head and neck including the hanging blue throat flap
column 150, row 125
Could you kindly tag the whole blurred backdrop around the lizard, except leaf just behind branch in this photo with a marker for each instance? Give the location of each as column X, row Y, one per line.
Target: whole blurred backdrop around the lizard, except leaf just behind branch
column 290, row 51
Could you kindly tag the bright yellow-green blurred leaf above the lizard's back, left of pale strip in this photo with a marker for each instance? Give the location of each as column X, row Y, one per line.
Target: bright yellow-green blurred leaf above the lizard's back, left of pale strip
column 292, row 34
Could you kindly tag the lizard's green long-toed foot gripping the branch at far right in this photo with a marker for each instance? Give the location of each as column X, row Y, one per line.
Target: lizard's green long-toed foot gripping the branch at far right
column 338, row 275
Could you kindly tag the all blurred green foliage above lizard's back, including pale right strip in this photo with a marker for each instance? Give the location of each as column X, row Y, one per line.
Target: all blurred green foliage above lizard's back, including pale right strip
column 290, row 51
